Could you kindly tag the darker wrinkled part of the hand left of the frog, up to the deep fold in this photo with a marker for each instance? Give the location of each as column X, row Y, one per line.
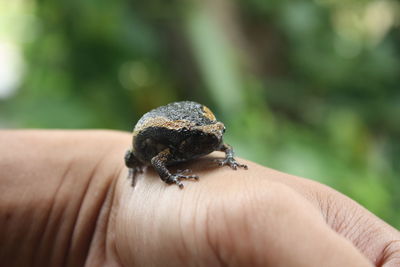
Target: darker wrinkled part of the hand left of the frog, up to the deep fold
column 55, row 195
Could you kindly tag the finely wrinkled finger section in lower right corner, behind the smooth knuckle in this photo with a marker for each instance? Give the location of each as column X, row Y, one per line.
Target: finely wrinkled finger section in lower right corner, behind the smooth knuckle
column 373, row 237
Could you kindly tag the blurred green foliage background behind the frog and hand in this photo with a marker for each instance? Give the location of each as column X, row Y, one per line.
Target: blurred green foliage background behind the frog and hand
column 306, row 87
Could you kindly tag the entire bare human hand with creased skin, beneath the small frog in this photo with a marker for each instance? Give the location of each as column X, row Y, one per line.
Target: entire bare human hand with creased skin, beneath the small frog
column 65, row 200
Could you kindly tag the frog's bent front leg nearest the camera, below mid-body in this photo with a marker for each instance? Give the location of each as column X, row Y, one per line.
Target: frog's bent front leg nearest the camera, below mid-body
column 159, row 163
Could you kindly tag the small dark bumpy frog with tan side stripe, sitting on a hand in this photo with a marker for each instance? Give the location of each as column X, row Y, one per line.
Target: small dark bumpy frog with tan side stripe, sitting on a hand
column 174, row 133
